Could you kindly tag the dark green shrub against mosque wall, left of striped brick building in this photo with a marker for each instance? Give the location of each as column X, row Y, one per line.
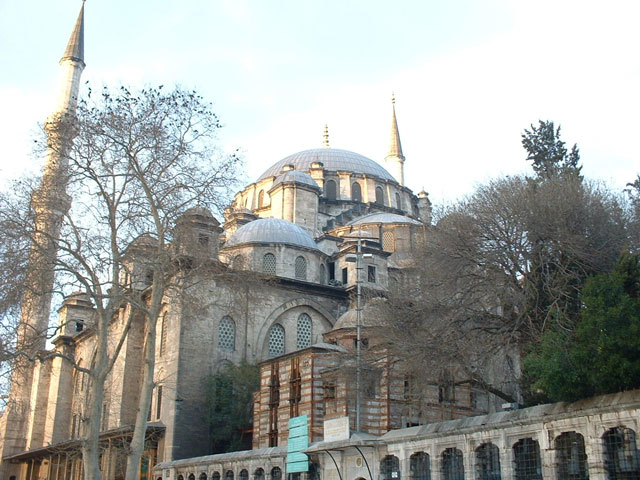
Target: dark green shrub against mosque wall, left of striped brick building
column 230, row 406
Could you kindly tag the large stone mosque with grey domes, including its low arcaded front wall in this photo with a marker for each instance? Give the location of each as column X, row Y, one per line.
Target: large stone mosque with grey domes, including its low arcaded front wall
column 316, row 229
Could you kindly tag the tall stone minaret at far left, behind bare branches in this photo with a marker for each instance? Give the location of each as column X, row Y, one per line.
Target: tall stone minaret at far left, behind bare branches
column 50, row 203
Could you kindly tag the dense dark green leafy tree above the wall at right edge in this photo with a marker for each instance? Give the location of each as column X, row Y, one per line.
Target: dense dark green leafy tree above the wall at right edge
column 602, row 355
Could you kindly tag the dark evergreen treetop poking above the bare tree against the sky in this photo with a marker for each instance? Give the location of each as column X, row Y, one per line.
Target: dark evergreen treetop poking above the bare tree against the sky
column 548, row 154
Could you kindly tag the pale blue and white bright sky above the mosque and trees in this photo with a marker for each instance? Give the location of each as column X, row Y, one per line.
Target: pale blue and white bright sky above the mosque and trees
column 468, row 77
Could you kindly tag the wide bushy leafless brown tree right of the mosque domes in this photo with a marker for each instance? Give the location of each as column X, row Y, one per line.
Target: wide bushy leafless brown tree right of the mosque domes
column 497, row 270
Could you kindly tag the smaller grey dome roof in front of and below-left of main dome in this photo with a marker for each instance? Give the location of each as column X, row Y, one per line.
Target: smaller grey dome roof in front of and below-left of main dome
column 271, row 230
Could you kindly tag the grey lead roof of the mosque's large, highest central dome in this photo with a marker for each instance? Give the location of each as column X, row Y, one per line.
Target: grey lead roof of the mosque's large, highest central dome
column 333, row 159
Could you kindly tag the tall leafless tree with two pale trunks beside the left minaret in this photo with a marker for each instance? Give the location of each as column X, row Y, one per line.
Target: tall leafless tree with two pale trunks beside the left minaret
column 139, row 160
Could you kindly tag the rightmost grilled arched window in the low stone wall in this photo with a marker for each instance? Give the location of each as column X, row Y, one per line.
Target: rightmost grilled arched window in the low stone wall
column 620, row 454
